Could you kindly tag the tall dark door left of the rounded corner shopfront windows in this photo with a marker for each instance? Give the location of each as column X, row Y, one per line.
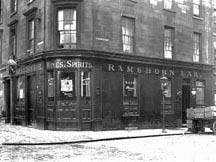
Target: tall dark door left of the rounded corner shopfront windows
column 31, row 99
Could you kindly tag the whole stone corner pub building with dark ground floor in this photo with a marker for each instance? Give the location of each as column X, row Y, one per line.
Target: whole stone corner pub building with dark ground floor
column 96, row 65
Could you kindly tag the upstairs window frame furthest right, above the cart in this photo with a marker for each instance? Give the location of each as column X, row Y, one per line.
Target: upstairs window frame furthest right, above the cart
column 195, row 44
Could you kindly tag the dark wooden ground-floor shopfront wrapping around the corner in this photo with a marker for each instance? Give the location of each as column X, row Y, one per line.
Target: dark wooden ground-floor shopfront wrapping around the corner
column 97, row 94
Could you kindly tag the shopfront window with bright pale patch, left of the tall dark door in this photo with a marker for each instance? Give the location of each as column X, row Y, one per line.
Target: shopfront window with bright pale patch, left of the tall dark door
column 20, row 89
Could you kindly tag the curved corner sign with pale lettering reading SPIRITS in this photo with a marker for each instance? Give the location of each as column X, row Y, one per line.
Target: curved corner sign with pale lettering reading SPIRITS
column 59, row 63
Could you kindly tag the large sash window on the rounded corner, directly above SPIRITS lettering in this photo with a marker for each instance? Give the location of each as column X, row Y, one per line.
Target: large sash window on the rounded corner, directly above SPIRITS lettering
column 67, row 28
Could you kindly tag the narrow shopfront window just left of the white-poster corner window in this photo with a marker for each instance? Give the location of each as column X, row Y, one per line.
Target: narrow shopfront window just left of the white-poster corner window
column 51, row 85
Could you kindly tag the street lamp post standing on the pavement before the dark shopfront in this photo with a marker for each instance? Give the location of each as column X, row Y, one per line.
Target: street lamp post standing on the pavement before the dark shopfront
column 164, row 91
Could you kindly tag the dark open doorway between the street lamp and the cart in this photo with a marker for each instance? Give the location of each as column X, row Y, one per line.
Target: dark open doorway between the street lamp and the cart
column 185, row 102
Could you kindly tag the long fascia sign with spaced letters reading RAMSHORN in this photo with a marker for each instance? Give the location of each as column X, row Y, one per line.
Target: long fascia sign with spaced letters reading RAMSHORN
column 152, row 71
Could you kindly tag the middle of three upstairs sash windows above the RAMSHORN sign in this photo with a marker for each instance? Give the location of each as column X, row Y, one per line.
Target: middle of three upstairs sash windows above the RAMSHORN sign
column 168, row 42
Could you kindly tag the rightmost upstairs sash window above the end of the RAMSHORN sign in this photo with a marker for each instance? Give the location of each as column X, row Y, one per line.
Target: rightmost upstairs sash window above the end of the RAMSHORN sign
column 196, row 47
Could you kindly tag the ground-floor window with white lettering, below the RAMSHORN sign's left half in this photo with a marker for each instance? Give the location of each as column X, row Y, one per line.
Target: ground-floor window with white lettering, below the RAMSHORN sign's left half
column 130, row 86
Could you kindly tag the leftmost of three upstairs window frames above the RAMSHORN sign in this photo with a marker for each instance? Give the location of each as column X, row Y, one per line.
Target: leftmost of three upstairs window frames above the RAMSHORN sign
column 131, row 23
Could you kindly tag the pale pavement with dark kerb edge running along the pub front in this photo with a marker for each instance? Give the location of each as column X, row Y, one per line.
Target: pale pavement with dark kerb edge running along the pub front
column 21, row 135
